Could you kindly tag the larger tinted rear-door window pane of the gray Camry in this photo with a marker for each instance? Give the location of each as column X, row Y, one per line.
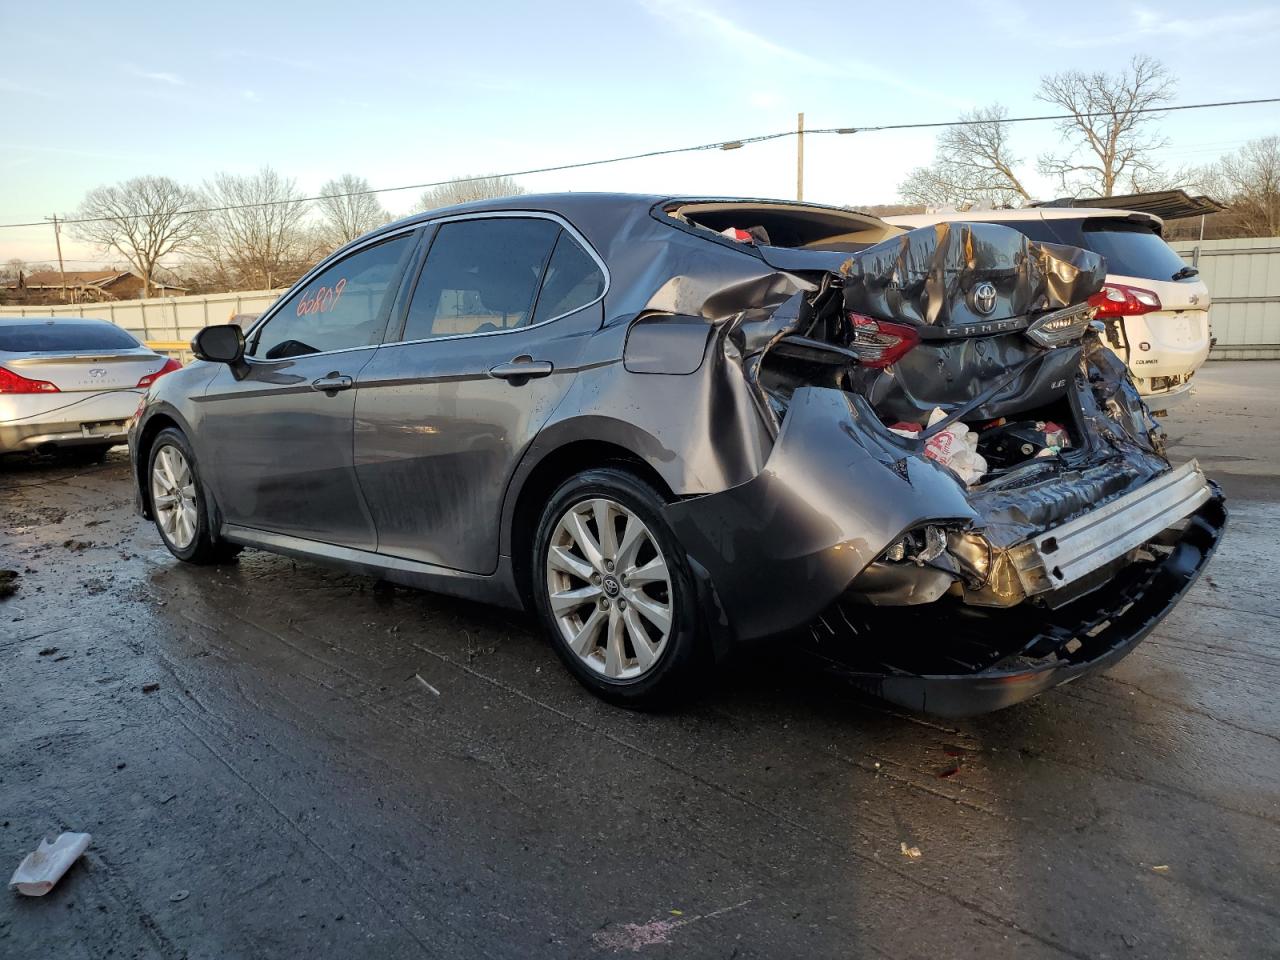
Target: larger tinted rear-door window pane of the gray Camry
column 481, row 277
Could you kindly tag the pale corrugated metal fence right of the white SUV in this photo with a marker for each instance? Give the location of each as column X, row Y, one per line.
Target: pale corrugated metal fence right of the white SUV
column 1244, row 278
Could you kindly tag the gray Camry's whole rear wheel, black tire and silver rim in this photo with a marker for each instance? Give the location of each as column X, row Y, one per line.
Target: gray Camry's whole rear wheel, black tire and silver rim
column 615, row 591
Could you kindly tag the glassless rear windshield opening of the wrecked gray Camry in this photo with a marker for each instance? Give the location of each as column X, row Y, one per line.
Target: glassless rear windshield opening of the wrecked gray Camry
column 788, row 225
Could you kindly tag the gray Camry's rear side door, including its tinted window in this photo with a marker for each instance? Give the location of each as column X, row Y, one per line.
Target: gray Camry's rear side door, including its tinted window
column 500, row 313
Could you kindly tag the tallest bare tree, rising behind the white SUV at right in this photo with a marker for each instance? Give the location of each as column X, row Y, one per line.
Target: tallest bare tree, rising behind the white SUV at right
column 1108, row 136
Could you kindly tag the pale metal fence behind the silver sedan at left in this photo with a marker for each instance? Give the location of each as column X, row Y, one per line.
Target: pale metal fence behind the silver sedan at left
column 162, row 321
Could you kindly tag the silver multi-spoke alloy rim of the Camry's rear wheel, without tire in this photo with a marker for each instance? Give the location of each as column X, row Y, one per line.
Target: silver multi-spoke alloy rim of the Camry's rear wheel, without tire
column 610, row 589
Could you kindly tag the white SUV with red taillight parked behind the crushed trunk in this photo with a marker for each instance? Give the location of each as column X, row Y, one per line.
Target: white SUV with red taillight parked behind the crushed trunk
column 1156, row 308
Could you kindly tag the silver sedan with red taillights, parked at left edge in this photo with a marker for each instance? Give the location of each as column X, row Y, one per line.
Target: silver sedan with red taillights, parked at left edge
column 71, row 385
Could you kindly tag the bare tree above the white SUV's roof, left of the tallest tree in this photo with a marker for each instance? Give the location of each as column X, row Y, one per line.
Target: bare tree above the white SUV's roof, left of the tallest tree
column 973, row 164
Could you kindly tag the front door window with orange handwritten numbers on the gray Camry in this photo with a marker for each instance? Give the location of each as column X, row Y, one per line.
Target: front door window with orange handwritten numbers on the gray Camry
column 339, row 309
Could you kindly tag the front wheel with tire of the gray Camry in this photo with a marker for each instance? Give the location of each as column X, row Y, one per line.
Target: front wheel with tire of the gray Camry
column 179, row 502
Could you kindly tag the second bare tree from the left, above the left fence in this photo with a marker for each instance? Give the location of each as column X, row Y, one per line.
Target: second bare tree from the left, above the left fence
column 255, row 235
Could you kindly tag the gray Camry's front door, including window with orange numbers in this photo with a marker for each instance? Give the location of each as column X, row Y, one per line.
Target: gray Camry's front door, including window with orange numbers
column 276, row 437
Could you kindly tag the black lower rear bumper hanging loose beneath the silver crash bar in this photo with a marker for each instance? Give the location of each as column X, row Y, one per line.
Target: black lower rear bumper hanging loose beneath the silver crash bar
column 977, row 661
